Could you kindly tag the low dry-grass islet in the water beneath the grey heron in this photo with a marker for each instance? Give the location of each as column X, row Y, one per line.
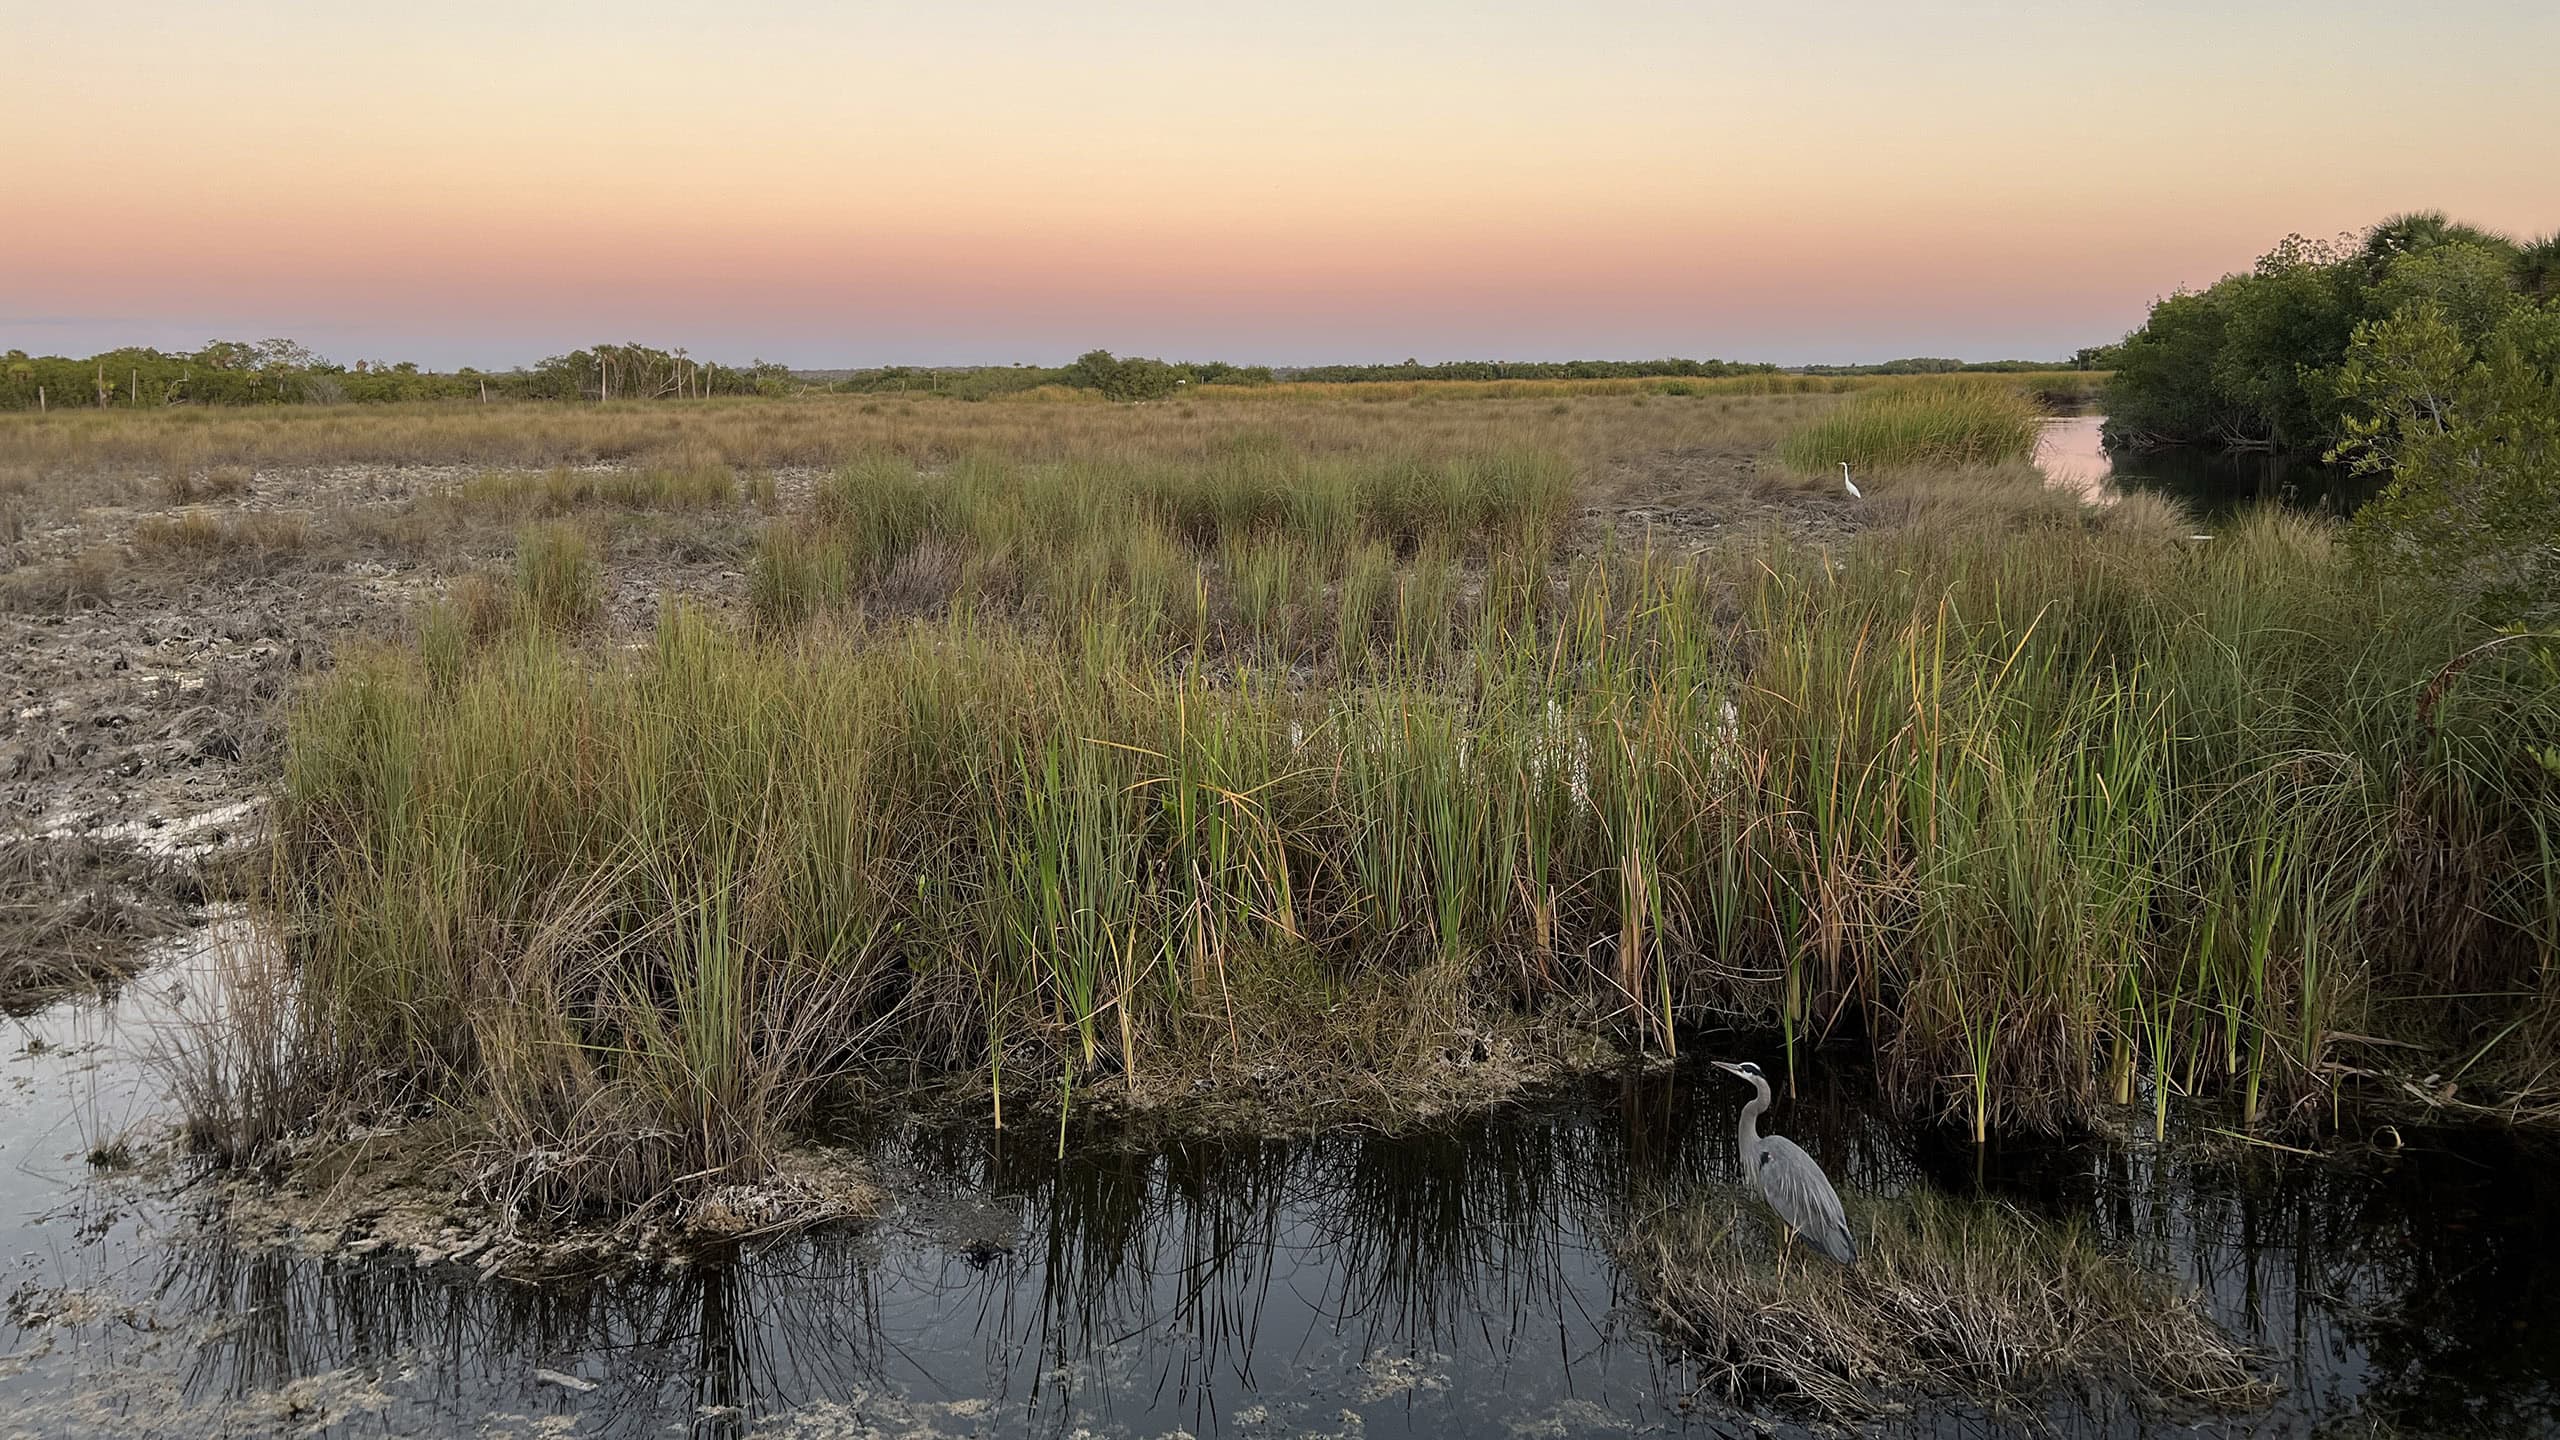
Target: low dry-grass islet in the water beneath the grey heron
column 1947, row 1300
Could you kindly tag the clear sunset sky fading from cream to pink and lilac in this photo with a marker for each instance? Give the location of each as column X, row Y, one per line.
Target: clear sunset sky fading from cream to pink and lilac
column 1325, row 181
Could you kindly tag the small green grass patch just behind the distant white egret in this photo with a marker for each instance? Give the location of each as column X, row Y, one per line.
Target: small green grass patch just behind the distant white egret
column 1949, row 424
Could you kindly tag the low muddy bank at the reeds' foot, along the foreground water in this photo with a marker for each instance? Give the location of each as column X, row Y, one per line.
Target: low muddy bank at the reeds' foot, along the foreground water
column 442, row 1193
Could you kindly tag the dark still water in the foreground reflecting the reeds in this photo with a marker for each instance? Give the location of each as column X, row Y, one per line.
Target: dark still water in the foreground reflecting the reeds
column 1353, row 1285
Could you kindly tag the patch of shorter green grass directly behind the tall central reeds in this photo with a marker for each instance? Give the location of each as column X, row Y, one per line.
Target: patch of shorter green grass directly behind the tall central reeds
column 1276, row 555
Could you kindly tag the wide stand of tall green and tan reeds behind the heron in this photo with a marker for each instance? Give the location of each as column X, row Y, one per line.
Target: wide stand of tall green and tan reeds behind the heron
column 2052, row 816
